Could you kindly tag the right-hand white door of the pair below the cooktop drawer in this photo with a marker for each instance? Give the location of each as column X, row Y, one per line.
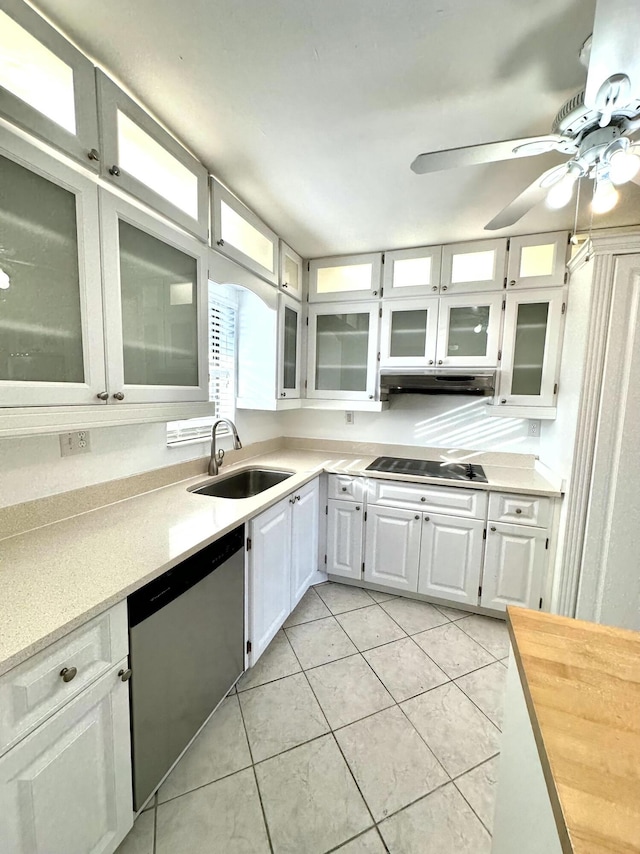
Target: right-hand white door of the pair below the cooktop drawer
column 451, row 558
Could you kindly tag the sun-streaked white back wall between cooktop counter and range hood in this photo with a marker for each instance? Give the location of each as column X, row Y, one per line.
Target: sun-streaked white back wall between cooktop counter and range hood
column 440, row 421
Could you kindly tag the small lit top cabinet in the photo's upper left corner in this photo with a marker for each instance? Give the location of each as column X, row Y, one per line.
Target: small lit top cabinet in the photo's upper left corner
column 46, row 85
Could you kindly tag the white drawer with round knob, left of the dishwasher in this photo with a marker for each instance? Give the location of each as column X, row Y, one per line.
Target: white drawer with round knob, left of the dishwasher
column 35, row 689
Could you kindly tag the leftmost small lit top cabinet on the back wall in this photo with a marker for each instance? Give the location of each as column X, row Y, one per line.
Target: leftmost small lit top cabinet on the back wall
column 348, row 277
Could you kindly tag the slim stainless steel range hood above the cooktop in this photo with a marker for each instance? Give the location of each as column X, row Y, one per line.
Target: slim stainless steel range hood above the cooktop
column 426, row 381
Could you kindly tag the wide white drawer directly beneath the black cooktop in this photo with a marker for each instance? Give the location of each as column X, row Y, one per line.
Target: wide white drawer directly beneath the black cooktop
column 470, row 503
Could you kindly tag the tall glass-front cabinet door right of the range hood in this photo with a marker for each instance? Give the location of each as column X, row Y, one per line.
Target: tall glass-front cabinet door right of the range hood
column 531, row 348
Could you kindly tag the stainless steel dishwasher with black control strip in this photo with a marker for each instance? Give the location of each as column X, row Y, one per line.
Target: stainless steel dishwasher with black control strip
column 186, row 648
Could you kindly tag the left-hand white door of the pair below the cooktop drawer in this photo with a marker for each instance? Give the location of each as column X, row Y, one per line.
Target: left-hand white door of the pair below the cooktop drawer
column 392, row 547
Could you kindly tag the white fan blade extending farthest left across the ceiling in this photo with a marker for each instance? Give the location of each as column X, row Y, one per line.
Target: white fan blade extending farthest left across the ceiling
column 490, row 152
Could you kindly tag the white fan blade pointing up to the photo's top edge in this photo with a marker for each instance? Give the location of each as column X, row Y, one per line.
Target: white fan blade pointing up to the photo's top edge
column 614, row 54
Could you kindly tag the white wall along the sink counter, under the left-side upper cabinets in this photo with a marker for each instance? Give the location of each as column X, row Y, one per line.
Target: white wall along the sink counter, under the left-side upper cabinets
column 31, row 466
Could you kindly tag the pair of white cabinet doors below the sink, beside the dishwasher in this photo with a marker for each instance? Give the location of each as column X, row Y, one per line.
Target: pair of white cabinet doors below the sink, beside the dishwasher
column 282, row 560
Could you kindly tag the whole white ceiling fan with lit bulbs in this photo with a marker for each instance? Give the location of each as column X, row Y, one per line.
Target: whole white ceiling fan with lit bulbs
column 595, row 127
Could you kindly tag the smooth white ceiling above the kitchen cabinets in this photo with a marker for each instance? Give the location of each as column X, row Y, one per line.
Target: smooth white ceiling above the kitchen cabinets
column 312, row 110
